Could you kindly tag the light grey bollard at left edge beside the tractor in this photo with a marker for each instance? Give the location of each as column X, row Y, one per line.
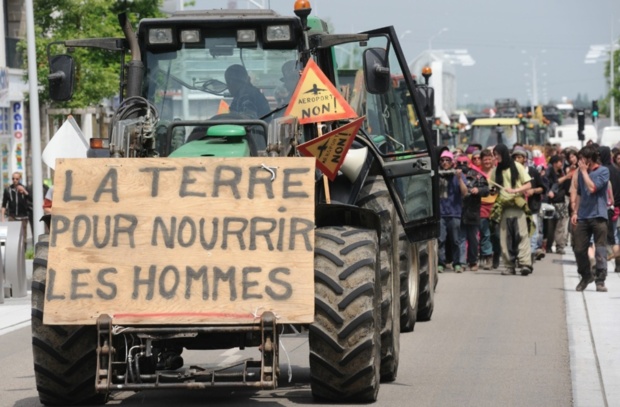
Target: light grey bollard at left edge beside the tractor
column 14, row 259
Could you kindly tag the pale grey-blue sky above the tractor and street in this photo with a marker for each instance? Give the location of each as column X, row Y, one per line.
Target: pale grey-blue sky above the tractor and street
column 509, row 40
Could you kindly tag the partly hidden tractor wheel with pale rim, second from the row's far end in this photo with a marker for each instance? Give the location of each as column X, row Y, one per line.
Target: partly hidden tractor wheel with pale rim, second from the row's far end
column 409, row 282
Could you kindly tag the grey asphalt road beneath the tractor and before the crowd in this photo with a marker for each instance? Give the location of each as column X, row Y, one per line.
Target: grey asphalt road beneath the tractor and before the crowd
column 493, row 341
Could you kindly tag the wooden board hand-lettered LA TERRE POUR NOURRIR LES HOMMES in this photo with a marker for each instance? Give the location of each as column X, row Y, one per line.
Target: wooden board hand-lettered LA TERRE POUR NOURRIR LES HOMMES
column 181, row 241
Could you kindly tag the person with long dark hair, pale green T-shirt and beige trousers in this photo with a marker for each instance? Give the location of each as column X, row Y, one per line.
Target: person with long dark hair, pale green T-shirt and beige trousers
column 511, row 212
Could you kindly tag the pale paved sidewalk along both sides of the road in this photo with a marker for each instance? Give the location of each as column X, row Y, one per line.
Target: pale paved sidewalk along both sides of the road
column 592, row 320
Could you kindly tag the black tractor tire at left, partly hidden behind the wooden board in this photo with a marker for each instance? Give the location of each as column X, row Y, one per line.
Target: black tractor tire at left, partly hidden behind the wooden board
column 64, row 356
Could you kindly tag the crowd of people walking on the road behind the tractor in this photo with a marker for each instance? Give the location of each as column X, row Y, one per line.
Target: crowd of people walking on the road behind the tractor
column 518, row 205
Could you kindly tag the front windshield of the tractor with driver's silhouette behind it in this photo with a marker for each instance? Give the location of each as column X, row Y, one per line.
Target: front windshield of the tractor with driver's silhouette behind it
column 190, row 83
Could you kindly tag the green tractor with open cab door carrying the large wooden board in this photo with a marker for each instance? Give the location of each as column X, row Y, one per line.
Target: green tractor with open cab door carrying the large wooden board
column 375, row 221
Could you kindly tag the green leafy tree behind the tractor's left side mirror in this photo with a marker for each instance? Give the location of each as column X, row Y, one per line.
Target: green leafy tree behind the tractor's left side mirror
column 97, row 71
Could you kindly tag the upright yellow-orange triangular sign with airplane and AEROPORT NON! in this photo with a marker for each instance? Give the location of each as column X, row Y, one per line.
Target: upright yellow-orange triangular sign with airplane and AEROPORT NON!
column 316, row 99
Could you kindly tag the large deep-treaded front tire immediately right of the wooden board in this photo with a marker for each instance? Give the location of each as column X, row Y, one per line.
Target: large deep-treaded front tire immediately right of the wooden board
column 344, row 340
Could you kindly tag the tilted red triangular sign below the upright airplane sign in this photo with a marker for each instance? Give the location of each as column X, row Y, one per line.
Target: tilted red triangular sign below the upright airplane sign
column 331, row 149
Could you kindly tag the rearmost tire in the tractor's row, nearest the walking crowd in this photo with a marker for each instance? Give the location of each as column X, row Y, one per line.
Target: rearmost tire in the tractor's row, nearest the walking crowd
column 427, row 263
